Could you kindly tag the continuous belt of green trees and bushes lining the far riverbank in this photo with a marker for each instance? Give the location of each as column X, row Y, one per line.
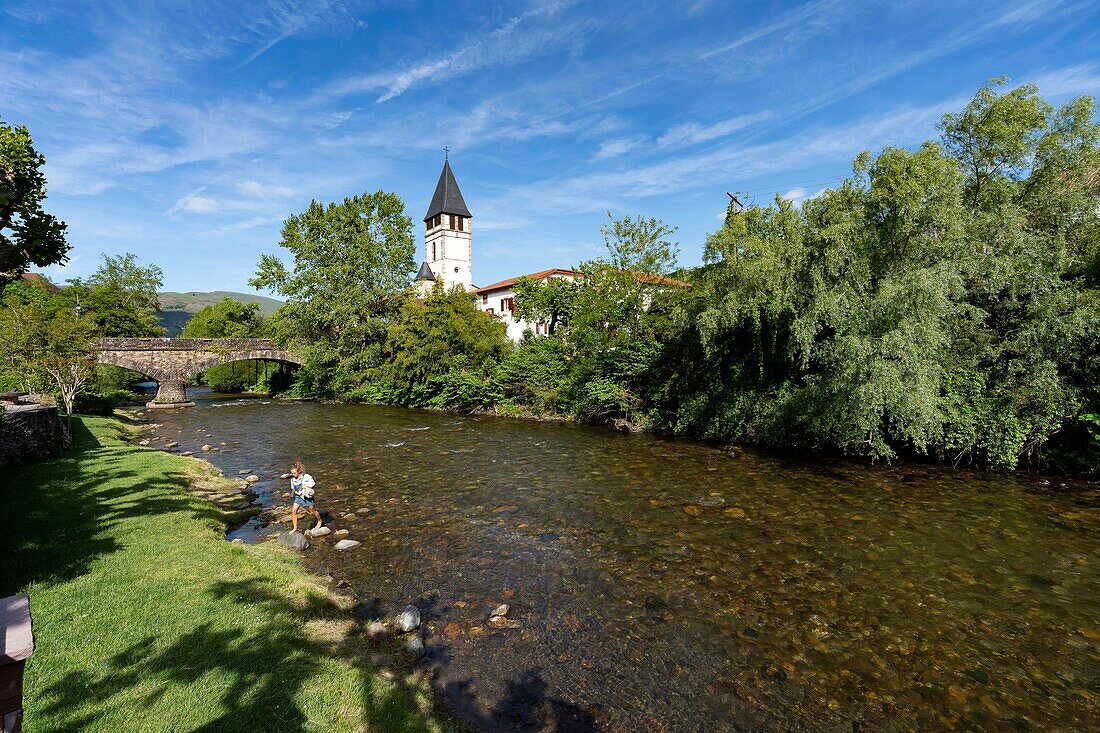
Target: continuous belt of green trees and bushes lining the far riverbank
column 943, row 303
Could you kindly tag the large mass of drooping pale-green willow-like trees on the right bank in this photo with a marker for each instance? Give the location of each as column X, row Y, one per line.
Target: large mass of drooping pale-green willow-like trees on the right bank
column 941, row 302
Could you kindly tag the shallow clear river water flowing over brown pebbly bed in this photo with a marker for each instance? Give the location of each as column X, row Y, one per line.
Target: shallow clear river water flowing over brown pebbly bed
column 670, row 586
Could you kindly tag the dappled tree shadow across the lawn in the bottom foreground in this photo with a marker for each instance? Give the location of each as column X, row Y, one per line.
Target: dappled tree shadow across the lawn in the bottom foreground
column 267, row 669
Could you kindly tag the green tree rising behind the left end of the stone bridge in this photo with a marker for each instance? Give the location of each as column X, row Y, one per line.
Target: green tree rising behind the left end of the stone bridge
column 122, row 297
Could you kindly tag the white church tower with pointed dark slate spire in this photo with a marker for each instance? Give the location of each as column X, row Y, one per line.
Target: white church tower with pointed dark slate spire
column 448, row 239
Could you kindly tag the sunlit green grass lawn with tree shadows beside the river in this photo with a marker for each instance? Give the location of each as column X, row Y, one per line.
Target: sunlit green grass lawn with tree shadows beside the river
column 146, row 619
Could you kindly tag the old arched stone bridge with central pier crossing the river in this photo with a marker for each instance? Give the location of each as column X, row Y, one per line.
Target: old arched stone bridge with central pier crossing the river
column 173, row 363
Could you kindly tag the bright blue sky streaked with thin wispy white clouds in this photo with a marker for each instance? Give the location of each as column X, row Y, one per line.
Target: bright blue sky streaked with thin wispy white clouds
column 188, row 133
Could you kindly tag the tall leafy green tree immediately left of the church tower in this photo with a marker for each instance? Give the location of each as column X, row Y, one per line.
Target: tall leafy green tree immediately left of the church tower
column 353, row 264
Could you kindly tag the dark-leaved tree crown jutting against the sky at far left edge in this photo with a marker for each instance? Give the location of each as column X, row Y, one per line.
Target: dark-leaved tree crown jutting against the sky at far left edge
column 28, row 235
